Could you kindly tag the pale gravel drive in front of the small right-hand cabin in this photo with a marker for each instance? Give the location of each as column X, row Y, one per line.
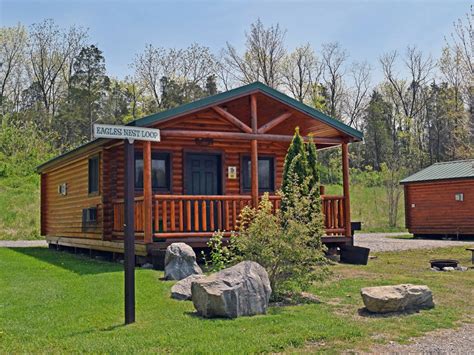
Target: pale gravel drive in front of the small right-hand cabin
column 382, row 242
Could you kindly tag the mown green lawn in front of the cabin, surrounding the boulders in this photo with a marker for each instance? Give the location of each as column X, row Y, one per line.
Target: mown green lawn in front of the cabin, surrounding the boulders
column 57, row 302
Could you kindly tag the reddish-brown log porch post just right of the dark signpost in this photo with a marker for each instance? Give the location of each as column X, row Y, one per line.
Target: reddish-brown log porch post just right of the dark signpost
column 147, row 192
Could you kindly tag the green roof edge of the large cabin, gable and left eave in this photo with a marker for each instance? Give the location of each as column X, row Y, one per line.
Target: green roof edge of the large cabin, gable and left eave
column 211, row 101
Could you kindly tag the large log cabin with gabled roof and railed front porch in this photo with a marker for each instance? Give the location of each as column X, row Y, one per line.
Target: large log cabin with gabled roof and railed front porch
column 216, row 155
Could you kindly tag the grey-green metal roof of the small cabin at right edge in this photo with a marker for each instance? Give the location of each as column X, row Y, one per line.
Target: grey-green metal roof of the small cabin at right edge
column 460, row 169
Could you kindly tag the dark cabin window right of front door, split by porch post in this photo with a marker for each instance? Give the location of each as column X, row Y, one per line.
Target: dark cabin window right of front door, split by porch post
column 266, row 174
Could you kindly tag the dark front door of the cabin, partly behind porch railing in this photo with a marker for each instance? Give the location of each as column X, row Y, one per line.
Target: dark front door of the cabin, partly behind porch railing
column 202, row 176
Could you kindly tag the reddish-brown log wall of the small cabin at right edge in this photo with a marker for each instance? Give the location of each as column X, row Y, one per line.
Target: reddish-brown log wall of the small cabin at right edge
column 436, row 211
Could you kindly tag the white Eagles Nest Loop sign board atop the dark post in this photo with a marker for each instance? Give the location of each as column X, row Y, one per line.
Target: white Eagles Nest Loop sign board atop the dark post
column 126, row 132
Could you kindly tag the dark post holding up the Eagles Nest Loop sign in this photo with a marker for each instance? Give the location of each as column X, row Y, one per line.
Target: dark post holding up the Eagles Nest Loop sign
column 129, row 233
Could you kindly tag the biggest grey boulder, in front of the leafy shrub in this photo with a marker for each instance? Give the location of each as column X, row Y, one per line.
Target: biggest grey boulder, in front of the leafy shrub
column 241, row 290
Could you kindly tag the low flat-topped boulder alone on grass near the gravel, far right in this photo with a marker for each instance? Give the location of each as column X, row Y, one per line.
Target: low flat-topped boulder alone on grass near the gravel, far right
column 398, row 298
